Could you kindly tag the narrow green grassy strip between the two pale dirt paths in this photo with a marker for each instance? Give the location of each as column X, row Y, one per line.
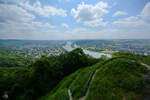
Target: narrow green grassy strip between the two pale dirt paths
column 80, row 85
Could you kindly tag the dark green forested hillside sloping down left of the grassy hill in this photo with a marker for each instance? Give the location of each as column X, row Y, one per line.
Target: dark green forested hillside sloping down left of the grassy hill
column 38, row 78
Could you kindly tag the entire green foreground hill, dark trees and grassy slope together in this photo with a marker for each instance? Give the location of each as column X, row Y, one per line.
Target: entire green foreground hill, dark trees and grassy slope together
column 77, row 76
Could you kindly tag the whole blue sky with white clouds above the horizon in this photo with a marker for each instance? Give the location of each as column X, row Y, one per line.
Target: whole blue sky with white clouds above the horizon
column 74, row 19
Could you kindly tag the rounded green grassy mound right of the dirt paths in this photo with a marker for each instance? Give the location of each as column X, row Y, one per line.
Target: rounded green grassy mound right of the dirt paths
column 118, row 79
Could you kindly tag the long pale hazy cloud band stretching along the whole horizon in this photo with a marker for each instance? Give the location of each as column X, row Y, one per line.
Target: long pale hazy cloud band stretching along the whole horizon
column 29, row 31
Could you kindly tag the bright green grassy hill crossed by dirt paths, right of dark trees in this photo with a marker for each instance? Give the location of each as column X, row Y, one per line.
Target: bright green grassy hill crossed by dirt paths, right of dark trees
column 119, row 78
